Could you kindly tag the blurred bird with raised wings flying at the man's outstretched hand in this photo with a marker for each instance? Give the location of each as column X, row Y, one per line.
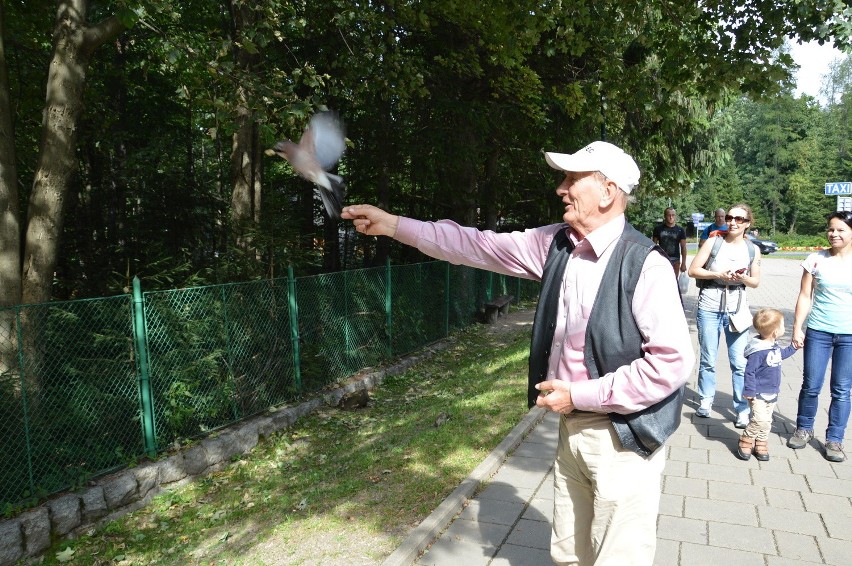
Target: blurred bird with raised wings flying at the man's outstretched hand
column 319, row 150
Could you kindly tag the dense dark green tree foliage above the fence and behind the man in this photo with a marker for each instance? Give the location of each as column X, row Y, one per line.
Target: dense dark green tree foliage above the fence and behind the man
column 448, row 106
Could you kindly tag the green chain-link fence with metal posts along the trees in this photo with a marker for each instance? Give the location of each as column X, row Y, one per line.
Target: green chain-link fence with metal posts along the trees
column 89, row 386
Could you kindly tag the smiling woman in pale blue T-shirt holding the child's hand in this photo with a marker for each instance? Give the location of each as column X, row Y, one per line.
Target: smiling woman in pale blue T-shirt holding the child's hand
column 825, row 299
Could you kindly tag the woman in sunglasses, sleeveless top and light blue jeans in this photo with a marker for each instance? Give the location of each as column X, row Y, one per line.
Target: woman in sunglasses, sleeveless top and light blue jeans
column 723, row 281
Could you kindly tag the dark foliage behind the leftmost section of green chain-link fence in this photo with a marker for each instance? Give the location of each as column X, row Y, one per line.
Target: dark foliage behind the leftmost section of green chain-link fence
column 83, row 417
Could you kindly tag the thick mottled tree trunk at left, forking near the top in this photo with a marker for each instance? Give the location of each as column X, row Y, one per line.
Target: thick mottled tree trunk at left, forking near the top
column 73, row 44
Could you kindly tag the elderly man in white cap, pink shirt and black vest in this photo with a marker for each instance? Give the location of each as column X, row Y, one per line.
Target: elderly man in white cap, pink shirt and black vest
column 608, row 353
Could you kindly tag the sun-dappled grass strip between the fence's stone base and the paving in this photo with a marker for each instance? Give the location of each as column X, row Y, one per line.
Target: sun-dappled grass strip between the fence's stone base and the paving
column 339, row 487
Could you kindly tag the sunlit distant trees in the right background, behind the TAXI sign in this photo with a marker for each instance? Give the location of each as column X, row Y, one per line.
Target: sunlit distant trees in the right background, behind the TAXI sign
column 783, row 150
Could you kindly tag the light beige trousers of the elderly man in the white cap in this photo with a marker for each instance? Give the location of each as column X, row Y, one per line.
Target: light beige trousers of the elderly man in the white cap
column 606, row 498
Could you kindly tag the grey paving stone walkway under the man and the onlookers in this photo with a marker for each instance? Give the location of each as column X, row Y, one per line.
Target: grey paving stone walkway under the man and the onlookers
column 715, row 509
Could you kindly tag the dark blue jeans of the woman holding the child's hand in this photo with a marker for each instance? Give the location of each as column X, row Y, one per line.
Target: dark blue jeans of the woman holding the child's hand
column 819, row 348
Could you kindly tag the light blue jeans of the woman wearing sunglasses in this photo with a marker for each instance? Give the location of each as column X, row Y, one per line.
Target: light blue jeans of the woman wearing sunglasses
column 711, row 324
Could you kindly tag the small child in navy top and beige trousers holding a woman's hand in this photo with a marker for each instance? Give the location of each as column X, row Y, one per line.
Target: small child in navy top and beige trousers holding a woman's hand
column 762, row 381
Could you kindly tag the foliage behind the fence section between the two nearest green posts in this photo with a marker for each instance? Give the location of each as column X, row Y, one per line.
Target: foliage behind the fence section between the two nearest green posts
column 217, row 354
